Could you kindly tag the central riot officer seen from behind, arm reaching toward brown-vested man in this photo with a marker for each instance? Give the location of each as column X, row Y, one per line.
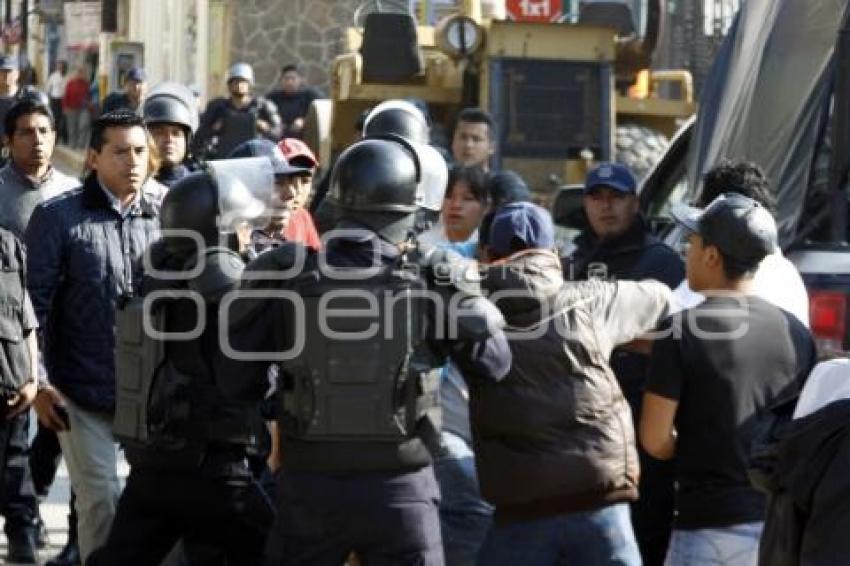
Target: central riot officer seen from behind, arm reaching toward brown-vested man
column 358, row 333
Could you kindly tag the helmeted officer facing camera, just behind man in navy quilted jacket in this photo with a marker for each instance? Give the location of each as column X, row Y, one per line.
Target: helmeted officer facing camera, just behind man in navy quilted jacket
column 171, row 115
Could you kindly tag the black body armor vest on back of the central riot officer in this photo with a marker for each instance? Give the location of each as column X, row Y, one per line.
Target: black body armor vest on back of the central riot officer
column 365, row 373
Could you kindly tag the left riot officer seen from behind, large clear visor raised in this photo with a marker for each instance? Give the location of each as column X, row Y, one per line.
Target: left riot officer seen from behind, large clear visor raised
column 185, row 442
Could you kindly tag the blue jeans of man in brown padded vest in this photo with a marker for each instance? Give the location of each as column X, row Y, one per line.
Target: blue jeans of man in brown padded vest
column 590, row 538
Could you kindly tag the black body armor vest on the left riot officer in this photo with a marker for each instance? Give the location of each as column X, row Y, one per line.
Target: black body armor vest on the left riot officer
column 169, row 411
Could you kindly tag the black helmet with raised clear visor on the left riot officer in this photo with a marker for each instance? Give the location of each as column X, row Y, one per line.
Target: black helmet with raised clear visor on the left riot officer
column 204, row 208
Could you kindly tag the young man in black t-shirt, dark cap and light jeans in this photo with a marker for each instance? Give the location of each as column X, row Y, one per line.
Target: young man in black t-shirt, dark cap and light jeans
column 714, row 371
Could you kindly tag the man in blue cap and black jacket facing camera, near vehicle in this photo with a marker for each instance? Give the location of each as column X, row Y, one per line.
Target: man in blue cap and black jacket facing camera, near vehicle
column 618, row 246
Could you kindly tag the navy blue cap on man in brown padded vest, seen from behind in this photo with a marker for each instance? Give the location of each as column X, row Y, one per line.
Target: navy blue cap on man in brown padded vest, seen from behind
column 521, row 226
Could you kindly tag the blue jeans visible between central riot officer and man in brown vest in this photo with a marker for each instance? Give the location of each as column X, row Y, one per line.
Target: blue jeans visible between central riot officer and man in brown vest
column 465, row 518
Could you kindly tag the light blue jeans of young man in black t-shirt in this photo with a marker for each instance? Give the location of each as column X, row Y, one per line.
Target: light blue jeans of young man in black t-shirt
column 736, row 545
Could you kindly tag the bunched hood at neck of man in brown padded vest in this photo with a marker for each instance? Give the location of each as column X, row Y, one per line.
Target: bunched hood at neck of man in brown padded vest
column 521, row 282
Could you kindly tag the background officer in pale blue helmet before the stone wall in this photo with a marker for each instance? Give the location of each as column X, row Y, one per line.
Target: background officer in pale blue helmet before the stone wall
column 227, row 122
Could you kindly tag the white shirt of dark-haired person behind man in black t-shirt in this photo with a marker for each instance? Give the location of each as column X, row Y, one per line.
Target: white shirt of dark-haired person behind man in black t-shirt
column 776, row 281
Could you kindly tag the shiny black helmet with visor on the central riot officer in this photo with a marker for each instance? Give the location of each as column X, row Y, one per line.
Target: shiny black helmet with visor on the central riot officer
column 382, row 182
